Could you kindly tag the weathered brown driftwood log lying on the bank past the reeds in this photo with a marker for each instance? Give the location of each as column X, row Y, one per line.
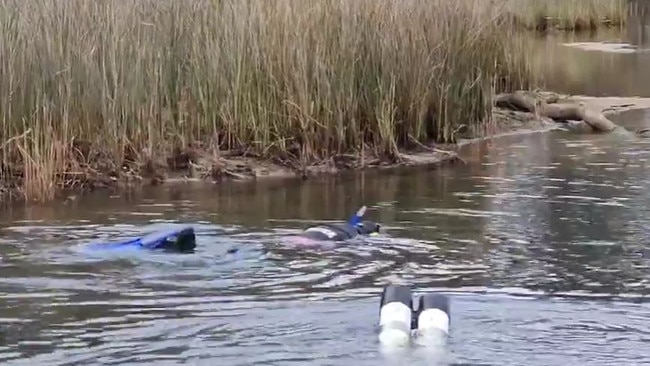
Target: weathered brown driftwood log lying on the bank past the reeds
column 559, row 112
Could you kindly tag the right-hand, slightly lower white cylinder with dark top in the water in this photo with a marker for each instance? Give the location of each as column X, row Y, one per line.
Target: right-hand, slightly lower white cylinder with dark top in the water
column 432, row 322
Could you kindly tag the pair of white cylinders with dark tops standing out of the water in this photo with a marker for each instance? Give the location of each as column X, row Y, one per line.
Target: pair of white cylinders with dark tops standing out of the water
column 399, row 321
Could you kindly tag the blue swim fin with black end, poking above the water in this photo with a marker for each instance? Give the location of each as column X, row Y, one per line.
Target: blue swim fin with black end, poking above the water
column 181, row 240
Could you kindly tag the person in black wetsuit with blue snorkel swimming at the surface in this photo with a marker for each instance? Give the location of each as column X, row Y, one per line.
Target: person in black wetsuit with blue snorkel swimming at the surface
column 341, row 232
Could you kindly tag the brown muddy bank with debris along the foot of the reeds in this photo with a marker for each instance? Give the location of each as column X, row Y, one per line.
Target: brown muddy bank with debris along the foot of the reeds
column 195, row 163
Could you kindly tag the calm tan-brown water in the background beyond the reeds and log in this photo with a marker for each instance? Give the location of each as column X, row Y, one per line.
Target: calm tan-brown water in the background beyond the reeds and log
column 597, row 73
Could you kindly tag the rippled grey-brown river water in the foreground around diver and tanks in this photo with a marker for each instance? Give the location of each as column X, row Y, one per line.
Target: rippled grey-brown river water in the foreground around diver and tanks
column 540, row 242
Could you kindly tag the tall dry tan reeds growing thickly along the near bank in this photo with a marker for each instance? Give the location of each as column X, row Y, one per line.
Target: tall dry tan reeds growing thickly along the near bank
column 104, row 86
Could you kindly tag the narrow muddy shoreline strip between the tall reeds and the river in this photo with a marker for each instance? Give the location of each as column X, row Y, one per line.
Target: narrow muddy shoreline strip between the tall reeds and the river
column 201, row 166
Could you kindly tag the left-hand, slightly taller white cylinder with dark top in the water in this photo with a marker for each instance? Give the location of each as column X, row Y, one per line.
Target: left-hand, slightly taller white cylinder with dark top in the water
column 395, row 316
